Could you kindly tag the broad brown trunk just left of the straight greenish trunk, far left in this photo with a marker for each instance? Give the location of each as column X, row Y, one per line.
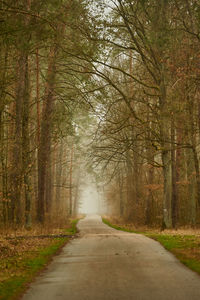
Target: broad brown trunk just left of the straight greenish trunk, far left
column 21, row 142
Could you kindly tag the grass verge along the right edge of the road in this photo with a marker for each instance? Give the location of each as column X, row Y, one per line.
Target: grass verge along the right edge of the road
column 185, row 247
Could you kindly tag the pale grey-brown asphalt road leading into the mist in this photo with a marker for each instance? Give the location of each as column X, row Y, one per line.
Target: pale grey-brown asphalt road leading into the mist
column 106, row 264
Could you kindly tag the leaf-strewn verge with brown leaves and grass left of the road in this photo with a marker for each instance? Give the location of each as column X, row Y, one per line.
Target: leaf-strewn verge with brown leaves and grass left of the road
column 22, row 257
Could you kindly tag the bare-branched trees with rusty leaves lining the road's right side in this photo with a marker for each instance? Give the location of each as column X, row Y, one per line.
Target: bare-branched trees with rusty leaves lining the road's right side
column 147, row 141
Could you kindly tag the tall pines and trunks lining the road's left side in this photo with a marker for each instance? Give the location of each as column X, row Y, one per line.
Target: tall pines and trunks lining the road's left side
column 40, row 98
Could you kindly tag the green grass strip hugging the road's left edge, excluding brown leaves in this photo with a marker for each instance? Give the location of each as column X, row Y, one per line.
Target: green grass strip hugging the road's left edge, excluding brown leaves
column 24, row 269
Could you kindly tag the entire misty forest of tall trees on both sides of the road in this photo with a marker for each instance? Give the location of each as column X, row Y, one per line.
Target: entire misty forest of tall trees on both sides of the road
column 105, row 87
